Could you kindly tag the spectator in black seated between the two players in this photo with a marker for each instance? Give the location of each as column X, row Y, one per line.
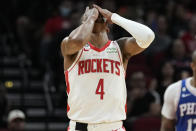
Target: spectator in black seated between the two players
column 141, row 101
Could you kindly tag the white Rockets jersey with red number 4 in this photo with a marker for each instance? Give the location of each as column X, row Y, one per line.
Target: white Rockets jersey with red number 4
column 96, row 85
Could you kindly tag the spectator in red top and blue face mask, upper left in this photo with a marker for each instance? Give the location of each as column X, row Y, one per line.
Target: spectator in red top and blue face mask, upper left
column 60, row 22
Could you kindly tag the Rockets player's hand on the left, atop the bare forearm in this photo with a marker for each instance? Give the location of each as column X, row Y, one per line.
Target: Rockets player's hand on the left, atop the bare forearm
column 91, row 13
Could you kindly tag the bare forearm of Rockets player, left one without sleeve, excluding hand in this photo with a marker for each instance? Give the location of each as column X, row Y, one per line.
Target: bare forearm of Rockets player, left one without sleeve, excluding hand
column 83, row 32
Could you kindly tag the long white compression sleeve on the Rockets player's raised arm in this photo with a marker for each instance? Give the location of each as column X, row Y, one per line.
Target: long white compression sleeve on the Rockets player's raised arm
column 143, row 34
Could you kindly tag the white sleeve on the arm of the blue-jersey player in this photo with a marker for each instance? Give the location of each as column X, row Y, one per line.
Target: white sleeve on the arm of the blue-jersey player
column 171, row 98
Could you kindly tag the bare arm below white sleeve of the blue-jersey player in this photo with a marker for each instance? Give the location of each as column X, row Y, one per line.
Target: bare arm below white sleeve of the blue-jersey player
column 167, row 124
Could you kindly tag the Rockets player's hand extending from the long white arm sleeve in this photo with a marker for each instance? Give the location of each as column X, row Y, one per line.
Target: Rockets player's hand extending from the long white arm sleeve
column 106, row 13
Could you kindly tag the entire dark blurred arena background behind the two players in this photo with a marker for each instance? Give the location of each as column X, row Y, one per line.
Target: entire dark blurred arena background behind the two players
column 31, row 66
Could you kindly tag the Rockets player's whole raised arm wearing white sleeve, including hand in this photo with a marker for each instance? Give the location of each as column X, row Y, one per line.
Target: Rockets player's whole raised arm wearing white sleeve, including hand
column 142, row 35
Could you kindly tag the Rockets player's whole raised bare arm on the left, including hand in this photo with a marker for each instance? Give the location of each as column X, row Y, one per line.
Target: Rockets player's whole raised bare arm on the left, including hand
column 80, row 36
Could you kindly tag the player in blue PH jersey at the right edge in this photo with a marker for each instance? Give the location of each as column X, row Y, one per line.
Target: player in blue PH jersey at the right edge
column 179, row 108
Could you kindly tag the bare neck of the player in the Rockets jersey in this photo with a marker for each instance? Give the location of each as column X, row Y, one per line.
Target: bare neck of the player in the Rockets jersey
column 99, row 39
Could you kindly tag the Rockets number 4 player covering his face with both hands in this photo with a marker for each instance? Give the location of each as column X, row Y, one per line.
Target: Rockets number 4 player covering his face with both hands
column 95, row 70
